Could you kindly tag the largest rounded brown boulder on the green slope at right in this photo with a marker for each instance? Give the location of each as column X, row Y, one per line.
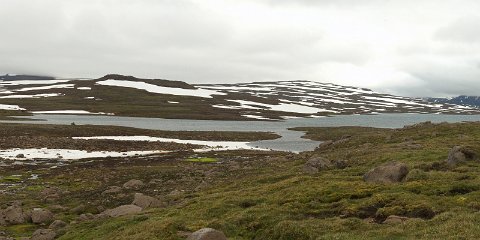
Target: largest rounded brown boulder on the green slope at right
column 388, row 173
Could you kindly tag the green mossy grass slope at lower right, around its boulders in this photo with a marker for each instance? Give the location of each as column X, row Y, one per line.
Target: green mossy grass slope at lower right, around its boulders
column 274, row 199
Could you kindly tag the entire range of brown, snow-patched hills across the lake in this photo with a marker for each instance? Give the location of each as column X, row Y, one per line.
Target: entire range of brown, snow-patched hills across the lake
column 129, row 96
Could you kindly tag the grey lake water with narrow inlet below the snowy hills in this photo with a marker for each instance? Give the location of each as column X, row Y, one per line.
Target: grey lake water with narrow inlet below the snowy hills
column 290, row 140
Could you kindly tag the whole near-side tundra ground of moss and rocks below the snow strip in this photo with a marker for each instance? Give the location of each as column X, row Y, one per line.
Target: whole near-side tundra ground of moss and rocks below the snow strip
column 417, row 182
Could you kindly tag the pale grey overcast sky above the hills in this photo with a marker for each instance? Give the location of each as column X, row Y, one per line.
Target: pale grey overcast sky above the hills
column 407, row 47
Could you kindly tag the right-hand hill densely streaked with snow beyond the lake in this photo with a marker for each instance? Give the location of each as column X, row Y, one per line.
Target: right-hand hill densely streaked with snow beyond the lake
column 317, row 98
